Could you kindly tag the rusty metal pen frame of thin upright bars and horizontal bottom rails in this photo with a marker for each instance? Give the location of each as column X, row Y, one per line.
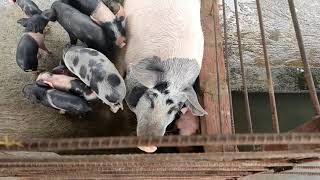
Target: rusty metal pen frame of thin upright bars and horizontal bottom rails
column 202, row 165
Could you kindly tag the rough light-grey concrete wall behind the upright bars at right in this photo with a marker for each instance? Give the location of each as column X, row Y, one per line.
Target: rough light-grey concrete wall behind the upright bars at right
column 281, row 42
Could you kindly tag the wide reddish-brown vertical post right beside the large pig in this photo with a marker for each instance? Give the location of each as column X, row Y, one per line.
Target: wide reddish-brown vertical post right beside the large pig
column 213, row 84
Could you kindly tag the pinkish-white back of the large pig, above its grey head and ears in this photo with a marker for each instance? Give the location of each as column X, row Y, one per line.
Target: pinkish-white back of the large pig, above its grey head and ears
column 163, row 28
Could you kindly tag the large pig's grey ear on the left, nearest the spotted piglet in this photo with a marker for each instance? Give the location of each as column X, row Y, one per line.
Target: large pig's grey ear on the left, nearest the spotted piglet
column 148, row 72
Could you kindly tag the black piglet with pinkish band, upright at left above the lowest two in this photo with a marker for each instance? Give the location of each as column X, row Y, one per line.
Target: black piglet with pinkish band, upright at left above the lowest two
column 30, row 42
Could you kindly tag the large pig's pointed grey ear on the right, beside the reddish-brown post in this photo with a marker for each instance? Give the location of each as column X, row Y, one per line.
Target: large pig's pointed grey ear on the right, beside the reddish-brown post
column 193, row 103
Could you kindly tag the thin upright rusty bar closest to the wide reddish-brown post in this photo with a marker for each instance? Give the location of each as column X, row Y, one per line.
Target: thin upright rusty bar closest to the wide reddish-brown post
column 227, row 65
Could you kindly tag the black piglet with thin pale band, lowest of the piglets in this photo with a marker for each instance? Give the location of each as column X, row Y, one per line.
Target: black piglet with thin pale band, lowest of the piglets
column 65, row 102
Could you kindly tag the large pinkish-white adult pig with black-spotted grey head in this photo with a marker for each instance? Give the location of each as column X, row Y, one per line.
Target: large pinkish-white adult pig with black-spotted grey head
column 164, row 58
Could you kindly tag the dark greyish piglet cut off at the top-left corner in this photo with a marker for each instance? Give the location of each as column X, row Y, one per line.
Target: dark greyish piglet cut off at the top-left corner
column 28, row 7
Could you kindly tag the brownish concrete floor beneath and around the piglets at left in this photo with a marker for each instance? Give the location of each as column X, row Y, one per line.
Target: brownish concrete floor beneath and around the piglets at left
column 20, row 118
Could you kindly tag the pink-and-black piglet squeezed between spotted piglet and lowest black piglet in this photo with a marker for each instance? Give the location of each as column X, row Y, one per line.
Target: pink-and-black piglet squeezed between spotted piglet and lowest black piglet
column 67, row 84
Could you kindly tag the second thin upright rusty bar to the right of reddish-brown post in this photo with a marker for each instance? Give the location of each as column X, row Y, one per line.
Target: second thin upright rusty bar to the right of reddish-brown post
column 244, row 81
